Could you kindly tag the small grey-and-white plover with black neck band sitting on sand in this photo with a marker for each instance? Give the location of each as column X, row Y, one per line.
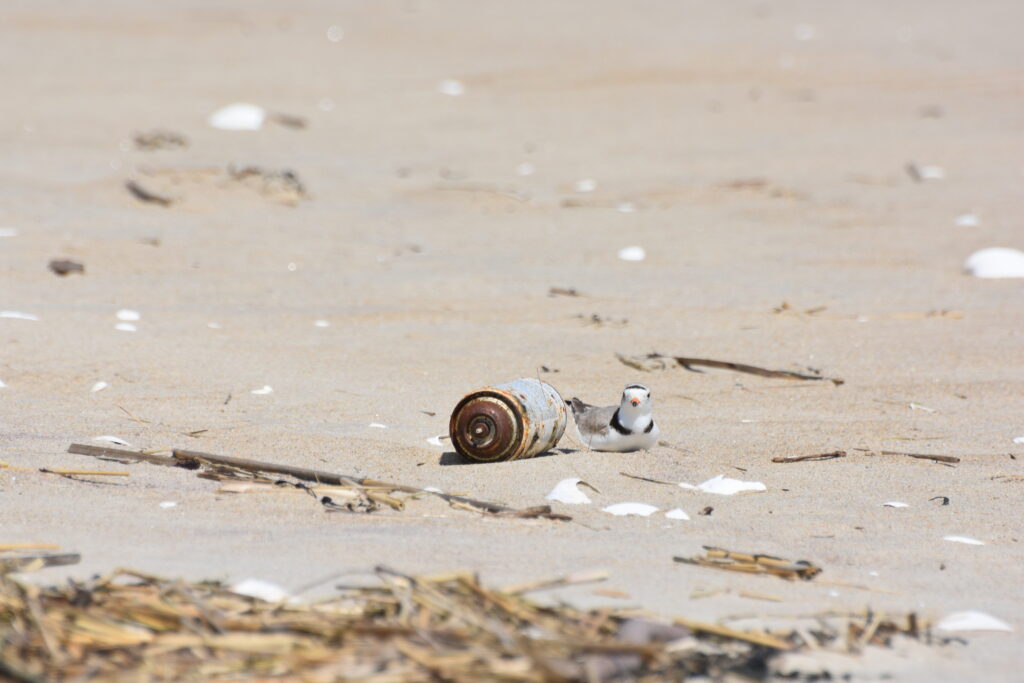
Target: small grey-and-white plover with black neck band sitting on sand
column 629, row 426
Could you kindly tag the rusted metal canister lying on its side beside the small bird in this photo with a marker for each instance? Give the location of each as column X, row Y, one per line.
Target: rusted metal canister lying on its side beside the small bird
column 510, row 421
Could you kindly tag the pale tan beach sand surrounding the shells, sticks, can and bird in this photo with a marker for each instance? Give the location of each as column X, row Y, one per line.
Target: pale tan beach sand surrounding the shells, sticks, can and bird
column 762, row 168
